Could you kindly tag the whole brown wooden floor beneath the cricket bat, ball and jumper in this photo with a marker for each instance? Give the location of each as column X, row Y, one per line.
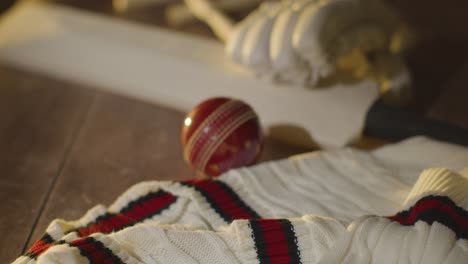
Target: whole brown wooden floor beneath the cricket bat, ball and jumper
column 65, row 148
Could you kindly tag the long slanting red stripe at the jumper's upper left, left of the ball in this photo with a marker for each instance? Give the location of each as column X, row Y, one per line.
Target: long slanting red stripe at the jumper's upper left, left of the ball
column 131, row 216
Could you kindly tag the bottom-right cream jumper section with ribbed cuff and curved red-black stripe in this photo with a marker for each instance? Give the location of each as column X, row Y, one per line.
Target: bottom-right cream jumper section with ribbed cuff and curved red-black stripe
column 433, row 231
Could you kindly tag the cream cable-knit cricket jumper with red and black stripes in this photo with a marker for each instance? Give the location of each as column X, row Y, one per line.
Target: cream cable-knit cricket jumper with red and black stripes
column 342, row 206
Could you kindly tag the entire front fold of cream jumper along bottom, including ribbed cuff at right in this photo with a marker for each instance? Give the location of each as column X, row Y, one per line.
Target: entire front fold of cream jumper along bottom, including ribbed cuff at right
column 368, row 239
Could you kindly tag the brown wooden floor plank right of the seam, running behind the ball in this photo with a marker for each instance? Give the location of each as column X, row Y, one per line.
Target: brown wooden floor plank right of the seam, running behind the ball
column 124, row 142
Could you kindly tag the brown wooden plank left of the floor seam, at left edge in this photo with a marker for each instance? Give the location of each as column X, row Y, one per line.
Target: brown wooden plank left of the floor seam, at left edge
column 38, row 118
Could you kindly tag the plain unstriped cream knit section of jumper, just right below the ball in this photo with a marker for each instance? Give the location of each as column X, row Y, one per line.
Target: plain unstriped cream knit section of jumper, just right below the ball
column 342, row 184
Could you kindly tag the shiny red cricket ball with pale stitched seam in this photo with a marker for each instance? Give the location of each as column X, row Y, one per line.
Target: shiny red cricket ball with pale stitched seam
column 221, row 134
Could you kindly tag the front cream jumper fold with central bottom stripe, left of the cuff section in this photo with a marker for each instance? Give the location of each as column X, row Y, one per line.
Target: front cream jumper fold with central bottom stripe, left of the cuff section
column 152, row 243
